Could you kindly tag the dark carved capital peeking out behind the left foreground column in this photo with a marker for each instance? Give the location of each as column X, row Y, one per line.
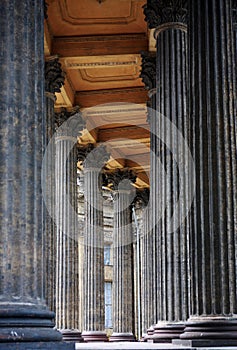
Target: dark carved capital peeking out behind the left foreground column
column 54, row 76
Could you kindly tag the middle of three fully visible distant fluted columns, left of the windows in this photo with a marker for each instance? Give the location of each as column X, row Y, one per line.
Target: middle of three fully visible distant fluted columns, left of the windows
column 94, row 311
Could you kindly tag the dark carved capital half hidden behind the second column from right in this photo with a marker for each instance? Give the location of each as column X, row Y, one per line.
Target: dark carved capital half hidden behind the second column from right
column 148, row 70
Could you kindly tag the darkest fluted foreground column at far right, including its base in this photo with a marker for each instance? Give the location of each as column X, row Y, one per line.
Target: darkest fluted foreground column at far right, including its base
column 213, row 320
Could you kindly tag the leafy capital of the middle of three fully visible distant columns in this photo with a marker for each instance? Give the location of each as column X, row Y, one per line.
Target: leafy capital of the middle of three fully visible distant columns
column 93, row 157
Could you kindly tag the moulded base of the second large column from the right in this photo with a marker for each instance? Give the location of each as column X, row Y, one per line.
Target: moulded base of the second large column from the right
column 166, row 332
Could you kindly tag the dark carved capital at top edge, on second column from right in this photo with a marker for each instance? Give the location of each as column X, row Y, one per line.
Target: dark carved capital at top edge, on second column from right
column 158, row 12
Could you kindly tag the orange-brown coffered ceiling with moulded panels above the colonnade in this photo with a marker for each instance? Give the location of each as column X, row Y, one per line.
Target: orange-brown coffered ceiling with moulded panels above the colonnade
column 99, row 43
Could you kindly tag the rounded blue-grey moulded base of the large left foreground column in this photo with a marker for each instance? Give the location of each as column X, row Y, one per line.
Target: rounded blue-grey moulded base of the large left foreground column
column 27, row 323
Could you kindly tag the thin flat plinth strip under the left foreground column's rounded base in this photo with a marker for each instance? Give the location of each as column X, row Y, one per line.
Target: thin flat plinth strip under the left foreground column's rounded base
column 37, row 345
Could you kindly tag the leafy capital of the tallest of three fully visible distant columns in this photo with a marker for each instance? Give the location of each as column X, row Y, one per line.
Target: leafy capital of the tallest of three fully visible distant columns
column 66, row 126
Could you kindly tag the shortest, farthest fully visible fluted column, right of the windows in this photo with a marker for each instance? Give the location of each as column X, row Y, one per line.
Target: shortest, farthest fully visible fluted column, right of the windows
column 123, row 300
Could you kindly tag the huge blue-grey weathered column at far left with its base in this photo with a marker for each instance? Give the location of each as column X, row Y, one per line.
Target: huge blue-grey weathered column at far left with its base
column 24, row 317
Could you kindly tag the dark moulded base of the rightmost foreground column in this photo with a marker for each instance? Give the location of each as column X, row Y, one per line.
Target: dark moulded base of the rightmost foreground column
column 209, row 331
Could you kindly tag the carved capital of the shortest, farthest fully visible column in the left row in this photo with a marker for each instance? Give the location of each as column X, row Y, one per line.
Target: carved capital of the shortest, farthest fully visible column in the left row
column 121, row 179
